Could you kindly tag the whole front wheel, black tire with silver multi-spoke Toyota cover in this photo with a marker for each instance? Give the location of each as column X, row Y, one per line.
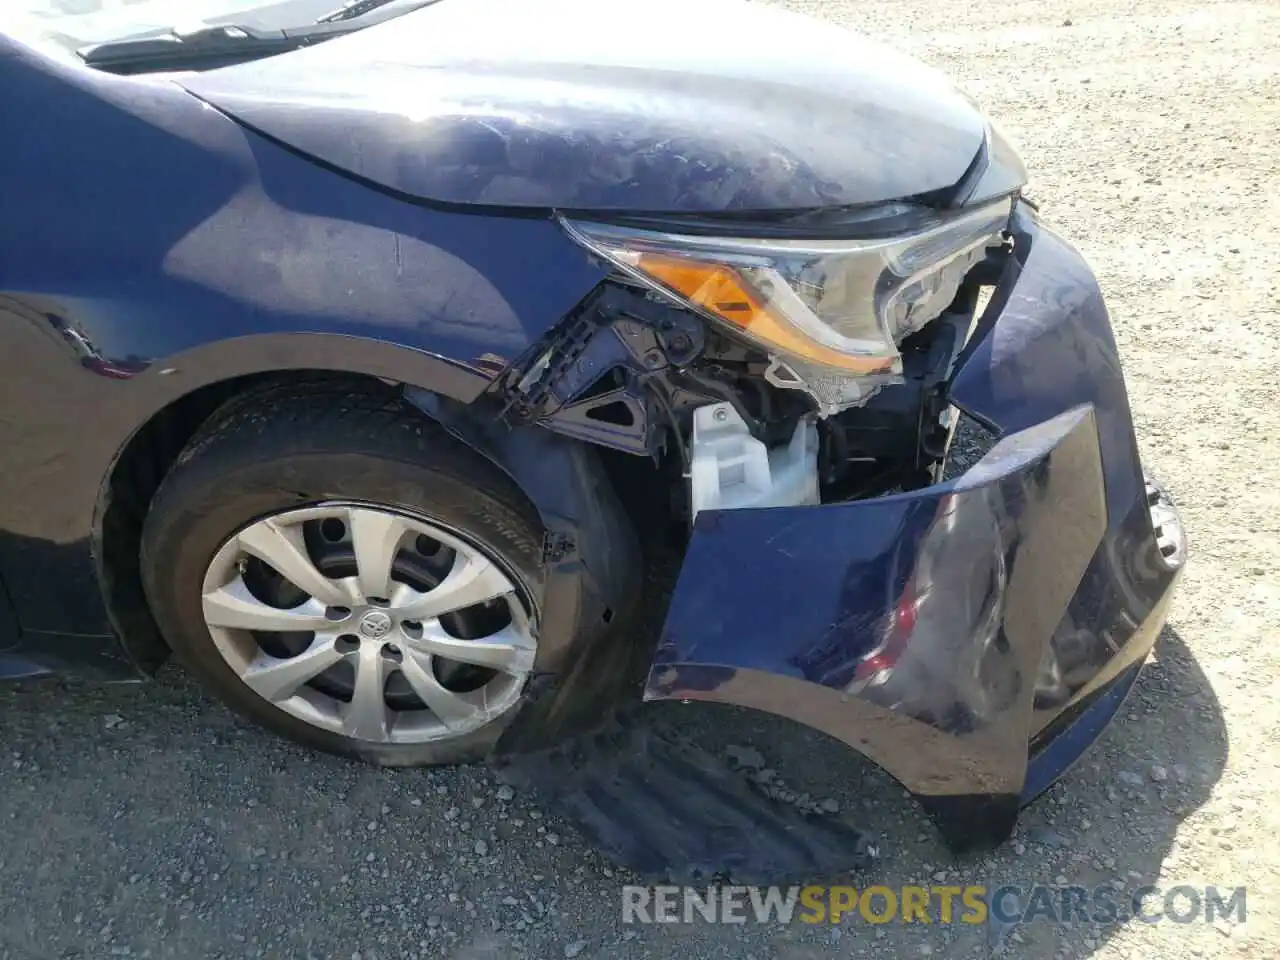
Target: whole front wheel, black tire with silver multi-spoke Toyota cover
column 342, row 572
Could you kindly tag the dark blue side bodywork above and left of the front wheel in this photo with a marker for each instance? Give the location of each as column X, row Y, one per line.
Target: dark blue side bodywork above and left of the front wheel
column 157, row 248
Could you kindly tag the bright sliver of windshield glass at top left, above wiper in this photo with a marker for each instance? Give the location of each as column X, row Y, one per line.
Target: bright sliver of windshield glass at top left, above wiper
column 75, row 24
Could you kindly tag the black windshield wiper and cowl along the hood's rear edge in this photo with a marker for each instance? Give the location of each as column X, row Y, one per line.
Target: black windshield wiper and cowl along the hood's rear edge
column 222, row 45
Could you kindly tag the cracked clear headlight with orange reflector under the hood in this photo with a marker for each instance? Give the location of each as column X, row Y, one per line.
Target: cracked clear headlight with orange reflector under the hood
column 829, row 313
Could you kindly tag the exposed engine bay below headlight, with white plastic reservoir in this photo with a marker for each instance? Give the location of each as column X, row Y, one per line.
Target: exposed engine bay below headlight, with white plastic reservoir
column 633, row 372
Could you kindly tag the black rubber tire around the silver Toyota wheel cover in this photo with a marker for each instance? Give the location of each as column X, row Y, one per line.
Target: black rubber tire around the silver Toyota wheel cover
column 303, row 444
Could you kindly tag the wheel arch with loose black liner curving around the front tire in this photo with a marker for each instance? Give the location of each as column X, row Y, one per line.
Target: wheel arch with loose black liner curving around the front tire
column 592, row 560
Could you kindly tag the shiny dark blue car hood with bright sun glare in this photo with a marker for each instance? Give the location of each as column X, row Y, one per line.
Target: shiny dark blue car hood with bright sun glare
column 668, row 107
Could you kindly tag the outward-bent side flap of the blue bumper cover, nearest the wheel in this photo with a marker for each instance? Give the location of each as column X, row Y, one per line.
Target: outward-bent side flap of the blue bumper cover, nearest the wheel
column 991, row 559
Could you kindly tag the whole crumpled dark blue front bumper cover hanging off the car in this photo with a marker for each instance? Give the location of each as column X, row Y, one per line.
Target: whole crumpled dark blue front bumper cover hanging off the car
column 972, row 638
